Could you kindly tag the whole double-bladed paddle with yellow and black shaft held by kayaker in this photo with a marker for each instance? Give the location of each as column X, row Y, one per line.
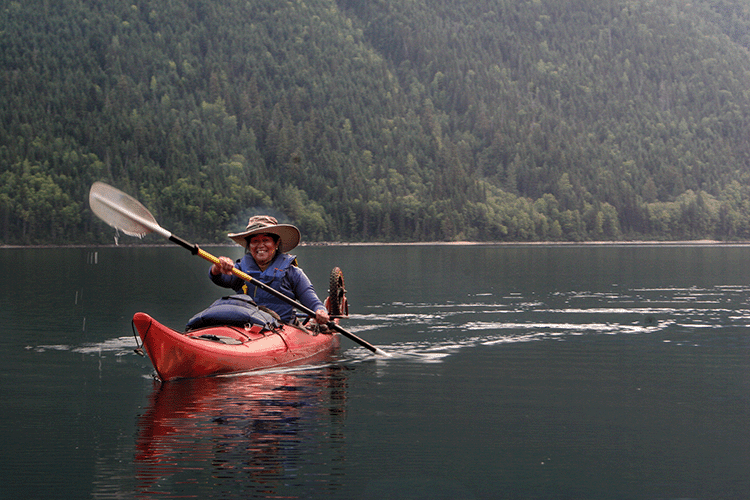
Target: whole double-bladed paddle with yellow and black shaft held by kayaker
column 126, row 214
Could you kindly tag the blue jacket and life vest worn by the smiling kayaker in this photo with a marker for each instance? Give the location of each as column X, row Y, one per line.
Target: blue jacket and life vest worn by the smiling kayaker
column 282, row 275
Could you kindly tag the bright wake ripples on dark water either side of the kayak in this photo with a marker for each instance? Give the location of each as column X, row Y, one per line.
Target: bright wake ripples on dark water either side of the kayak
column 490, row 320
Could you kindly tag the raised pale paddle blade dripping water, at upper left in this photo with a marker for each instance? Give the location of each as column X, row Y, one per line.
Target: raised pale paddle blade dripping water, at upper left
column 121, row 211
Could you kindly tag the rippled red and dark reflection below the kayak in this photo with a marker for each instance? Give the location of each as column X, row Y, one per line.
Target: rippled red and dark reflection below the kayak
column 244, row 435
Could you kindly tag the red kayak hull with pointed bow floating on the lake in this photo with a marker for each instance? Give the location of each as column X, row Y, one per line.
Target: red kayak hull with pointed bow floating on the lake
column 226, row 349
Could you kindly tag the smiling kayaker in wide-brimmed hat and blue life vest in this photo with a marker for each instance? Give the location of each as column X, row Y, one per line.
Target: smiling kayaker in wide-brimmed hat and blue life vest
column 266, row 259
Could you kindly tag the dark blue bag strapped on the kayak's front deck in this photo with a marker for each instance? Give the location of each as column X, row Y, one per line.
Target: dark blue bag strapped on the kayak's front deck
column 234, row 310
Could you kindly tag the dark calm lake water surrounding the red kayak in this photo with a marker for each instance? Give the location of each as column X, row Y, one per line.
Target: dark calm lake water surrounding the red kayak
column 516, row 372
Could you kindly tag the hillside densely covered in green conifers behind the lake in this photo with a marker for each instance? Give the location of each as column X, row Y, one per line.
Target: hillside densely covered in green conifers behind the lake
column 379, row 120
